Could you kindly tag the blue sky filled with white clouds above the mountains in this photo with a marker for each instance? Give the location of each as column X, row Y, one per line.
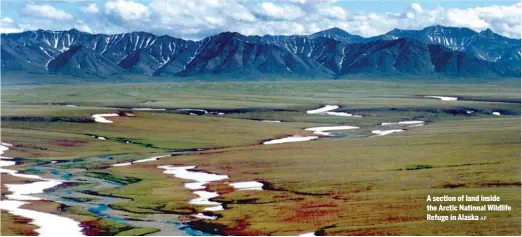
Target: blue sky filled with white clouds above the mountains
column 196, row 19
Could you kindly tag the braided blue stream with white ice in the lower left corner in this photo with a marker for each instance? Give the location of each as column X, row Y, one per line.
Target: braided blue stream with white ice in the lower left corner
column 61, row 191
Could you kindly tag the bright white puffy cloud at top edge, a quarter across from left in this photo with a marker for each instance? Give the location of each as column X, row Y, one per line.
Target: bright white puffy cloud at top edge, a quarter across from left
column 127, row 10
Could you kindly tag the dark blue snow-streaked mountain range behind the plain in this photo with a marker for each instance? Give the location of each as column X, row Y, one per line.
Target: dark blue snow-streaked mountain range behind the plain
column 329, row 53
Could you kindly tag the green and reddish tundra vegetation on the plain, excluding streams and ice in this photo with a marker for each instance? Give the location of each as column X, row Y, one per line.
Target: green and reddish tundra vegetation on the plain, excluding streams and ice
column 348, row 185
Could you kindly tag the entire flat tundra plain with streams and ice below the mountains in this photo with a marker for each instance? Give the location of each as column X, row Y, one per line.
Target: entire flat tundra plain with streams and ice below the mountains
column 257, row 158
